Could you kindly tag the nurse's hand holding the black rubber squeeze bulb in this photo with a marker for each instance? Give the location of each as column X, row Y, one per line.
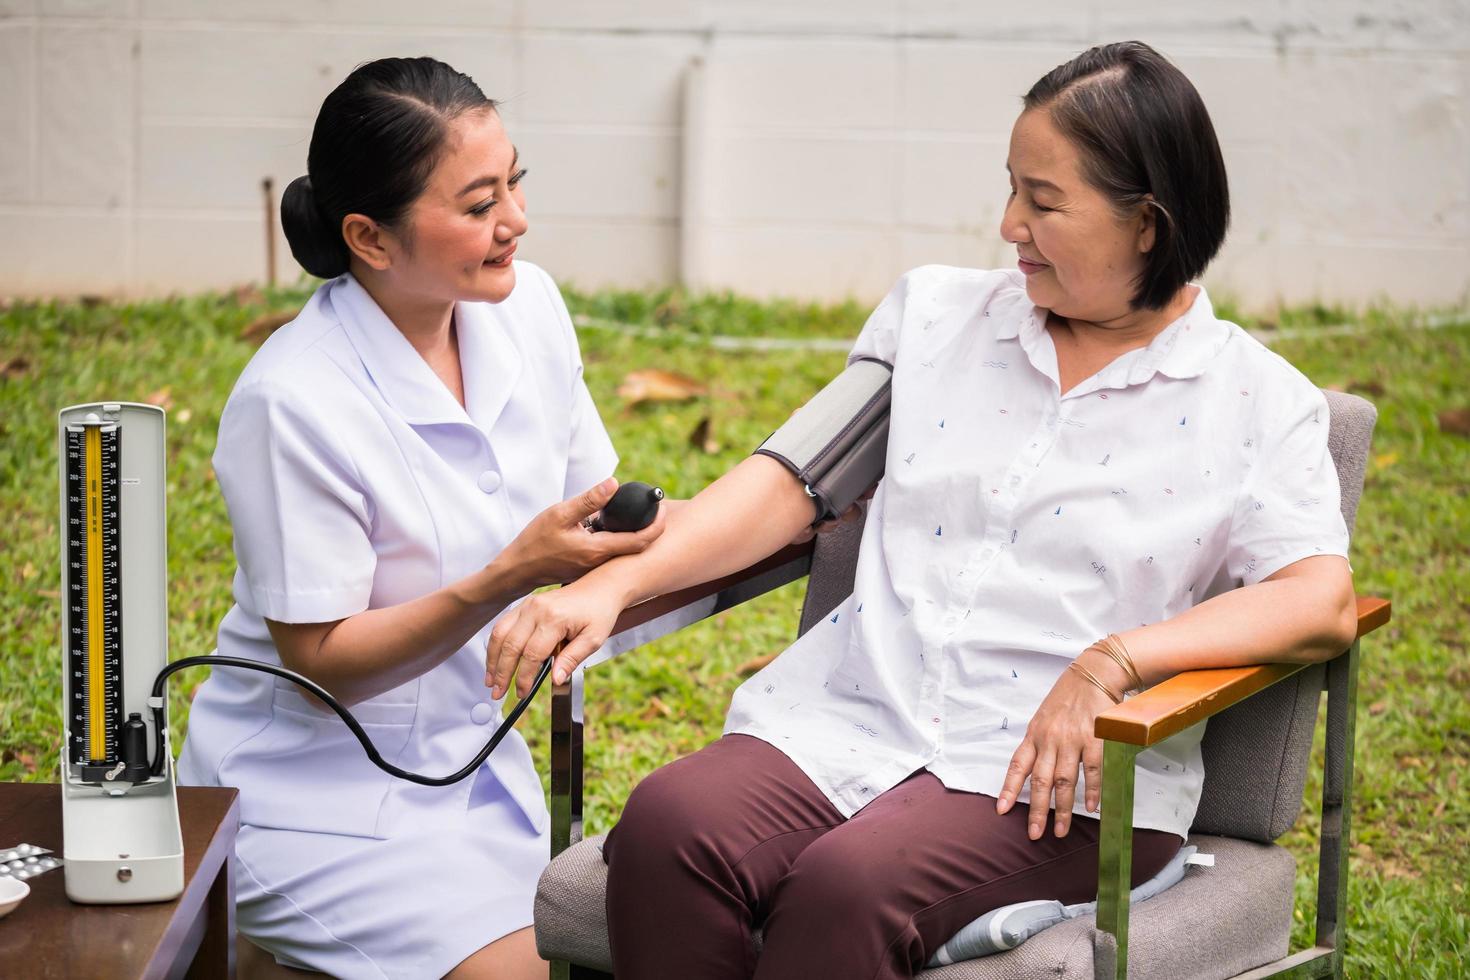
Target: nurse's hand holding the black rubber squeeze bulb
column 556, row 547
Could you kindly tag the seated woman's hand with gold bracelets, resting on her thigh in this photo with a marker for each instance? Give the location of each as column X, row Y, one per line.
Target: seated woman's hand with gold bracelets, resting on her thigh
column 1058, row 743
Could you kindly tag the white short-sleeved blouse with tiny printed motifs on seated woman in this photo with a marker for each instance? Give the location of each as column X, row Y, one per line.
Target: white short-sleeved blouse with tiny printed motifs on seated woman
column 1018, row 525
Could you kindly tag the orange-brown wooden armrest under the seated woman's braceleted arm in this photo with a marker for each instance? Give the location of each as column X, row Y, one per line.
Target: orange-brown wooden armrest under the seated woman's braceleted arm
column 1194, row 696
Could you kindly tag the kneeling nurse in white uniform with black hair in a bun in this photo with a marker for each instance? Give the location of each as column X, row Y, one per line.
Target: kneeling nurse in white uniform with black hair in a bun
column 406, row 459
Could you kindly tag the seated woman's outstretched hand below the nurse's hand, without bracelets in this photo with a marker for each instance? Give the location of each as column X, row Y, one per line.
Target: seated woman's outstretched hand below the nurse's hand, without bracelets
column 578, row 619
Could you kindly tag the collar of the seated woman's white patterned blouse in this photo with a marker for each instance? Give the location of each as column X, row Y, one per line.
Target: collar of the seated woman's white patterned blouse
column 1183, row 350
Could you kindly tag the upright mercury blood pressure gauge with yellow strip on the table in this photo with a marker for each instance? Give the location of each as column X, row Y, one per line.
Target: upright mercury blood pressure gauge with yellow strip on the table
column 120, row 815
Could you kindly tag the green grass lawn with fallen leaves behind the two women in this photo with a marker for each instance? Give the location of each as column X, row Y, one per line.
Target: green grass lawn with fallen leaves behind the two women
column 1412, row 544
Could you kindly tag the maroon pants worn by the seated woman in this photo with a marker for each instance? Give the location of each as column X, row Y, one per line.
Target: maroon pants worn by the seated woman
column 737, row 838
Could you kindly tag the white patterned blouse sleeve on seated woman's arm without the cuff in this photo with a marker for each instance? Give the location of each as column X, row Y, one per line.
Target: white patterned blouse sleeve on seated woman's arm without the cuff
column 1291, row 506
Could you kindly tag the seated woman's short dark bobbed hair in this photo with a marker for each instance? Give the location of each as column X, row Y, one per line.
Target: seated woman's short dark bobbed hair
column 1143, row 131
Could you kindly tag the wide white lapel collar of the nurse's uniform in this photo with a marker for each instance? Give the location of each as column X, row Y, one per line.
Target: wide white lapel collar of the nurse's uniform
column 490, row 362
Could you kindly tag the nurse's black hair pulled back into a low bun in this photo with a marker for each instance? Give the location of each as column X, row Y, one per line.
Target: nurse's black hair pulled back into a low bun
column 376, row 143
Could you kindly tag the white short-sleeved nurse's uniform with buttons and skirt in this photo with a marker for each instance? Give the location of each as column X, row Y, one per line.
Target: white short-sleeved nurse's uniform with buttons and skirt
column 356, row 481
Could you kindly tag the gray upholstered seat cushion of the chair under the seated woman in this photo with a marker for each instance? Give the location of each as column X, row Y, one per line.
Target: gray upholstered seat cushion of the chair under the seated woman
column 1216, row 923
